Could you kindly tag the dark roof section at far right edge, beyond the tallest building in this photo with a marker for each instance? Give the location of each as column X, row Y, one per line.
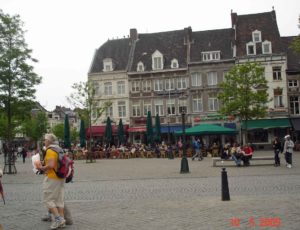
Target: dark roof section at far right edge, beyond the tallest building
column 293, row 59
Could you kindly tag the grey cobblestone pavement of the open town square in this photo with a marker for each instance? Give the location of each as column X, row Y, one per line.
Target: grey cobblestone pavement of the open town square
column 152, row 194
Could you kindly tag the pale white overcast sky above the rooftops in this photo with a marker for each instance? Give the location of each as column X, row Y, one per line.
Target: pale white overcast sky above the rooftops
column 64, row 34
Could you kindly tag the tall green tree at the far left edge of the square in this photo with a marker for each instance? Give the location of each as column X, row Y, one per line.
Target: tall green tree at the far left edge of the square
column 17, row 77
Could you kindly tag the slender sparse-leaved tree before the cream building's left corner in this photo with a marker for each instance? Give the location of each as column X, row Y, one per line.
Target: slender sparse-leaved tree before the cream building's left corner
column 84, row 100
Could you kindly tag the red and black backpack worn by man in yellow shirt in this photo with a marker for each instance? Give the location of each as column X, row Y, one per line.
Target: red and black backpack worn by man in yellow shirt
column 65, row 166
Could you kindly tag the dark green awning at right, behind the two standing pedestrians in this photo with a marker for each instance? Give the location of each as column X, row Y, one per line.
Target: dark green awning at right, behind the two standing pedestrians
column 267, row 124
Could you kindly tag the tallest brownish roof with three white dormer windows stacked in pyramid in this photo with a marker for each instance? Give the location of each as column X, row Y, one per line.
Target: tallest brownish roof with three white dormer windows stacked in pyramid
column 264, row 22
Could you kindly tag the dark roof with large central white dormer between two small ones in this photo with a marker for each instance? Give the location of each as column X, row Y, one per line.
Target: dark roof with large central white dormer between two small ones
column 170, row 44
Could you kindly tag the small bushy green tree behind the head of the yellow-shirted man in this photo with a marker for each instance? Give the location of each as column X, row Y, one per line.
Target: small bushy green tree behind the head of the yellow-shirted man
column 36, row 126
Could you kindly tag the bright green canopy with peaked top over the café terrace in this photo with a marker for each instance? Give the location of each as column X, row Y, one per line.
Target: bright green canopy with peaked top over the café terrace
column 207, row 129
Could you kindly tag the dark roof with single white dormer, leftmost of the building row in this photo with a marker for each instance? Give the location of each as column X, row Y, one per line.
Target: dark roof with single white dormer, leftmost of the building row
column 118, row 50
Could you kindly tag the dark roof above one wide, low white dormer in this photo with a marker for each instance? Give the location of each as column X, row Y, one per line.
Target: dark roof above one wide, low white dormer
column 212, row 40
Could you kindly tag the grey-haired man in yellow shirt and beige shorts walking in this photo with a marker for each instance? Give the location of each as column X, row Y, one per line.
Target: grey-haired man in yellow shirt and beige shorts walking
column 53, row 186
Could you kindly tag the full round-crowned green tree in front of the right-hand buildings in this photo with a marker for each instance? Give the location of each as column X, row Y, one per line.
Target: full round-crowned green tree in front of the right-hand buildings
column 244, row 93
